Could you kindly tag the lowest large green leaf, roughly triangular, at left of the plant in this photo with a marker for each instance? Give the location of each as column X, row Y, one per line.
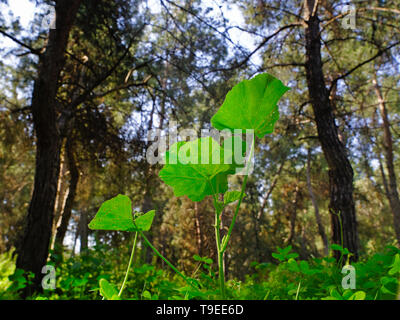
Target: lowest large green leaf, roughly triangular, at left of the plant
column 114, row 214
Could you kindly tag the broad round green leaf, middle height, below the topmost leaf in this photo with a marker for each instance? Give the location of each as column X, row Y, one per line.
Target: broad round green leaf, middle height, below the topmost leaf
column 190, row 170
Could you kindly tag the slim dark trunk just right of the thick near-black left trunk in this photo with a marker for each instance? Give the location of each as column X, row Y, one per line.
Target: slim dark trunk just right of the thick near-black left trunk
column 66, row 216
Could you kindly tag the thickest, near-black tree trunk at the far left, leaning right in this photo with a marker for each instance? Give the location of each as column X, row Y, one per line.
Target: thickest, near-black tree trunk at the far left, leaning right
column 33, row 251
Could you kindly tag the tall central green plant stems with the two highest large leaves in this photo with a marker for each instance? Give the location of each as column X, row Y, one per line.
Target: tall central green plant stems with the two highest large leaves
column 255, row 101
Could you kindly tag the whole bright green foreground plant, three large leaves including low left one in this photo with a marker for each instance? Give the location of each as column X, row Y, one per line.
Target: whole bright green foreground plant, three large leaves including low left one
column 205, row 168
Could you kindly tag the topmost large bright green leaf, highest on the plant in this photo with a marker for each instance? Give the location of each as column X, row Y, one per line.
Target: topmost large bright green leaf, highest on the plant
column 251, row 104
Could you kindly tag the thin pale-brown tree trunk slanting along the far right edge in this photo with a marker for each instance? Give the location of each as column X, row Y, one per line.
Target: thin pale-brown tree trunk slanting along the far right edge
column 391, row 184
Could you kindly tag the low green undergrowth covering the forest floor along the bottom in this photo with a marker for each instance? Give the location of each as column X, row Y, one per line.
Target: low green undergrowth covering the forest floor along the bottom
column 78, row 278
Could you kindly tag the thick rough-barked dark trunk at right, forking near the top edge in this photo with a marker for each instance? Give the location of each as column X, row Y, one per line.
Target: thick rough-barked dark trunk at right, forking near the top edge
column 341, row 206
